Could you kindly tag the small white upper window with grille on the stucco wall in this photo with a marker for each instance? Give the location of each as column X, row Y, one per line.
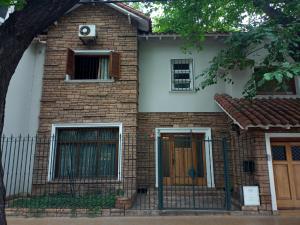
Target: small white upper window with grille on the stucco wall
column 182, row 75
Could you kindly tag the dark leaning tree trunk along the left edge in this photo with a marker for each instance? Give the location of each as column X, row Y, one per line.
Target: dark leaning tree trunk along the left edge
column 16, row 34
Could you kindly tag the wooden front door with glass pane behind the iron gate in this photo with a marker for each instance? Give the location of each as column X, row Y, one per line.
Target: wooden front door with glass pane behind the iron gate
column 183, row 159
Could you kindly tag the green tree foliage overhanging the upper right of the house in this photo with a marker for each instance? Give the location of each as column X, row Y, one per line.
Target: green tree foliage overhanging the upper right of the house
column 258, row 26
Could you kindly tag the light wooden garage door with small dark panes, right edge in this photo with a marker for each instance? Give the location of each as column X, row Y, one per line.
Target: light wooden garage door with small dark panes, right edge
column 286, row 167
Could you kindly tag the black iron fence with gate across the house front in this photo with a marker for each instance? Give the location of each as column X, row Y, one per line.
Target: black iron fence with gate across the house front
column 107, row 174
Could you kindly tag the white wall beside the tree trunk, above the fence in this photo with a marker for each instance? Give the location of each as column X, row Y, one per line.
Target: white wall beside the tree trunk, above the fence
column 24, row 93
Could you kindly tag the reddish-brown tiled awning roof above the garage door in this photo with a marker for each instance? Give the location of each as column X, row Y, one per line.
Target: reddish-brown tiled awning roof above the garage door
column 261, row 112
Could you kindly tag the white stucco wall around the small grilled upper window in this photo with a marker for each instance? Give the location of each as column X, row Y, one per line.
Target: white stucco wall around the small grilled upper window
column 155, row 77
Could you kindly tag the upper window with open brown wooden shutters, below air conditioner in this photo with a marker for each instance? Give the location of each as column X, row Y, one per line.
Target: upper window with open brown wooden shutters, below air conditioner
column 93, row 65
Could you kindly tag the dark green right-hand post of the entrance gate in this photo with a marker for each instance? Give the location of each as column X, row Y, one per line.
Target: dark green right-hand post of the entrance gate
column 226, row 175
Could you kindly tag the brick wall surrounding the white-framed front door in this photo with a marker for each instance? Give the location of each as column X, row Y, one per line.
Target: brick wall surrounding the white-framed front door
column 147, row 122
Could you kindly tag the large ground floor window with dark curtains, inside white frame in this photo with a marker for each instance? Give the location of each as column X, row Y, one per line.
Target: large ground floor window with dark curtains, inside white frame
column 87, row 152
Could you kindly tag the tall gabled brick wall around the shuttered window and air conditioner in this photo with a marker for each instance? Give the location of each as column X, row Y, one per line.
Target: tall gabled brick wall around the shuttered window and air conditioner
column 65, row 102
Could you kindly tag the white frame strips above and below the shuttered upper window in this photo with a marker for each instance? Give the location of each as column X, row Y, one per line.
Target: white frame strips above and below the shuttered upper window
column 90, row 53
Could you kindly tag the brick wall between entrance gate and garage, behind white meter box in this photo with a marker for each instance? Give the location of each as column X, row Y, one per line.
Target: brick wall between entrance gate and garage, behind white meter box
column 251, row 145
